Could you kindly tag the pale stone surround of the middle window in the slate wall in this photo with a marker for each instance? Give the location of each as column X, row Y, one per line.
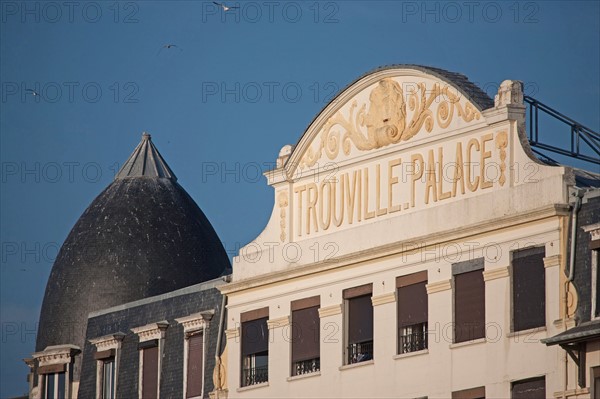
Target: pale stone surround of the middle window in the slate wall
column 146, row 334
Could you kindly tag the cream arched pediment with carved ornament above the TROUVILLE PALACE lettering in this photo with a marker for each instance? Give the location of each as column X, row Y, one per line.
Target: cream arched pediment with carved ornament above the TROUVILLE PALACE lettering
column 392, row 106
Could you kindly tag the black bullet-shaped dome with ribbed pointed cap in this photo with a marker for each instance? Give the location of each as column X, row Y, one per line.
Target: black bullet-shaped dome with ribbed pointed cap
column 142, row 236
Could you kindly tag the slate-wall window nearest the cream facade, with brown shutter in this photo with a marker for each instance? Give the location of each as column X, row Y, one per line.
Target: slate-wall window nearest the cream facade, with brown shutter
column 195, row 329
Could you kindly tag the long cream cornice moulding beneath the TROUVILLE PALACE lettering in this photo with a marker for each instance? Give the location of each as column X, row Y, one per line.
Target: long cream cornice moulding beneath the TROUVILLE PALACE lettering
column 493, row 225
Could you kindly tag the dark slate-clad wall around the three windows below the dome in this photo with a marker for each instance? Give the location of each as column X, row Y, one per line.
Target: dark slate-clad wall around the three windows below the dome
column 178, row 304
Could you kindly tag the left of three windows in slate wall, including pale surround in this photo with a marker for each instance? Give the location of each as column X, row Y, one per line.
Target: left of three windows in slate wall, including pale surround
column 107, row 348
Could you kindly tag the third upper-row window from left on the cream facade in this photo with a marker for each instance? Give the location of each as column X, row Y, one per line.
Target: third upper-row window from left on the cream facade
column 359, row 310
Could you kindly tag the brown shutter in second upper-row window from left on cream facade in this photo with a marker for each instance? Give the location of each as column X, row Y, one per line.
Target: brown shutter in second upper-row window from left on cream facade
column 305, row 334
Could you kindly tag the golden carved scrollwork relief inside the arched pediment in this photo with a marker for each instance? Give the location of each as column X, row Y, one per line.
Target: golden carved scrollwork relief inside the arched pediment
column 386, row 122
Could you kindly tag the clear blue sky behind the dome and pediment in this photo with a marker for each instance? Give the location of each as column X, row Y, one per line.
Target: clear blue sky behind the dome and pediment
column 237, row 87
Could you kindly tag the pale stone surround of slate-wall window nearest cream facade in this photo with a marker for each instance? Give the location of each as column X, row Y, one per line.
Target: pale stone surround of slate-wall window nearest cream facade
column 195, row 324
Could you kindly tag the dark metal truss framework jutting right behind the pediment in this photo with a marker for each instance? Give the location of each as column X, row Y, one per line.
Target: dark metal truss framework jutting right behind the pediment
column 582, row 137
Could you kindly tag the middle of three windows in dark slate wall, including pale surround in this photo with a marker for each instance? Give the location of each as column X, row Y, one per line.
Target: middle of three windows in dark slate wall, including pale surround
column 150, row 354
